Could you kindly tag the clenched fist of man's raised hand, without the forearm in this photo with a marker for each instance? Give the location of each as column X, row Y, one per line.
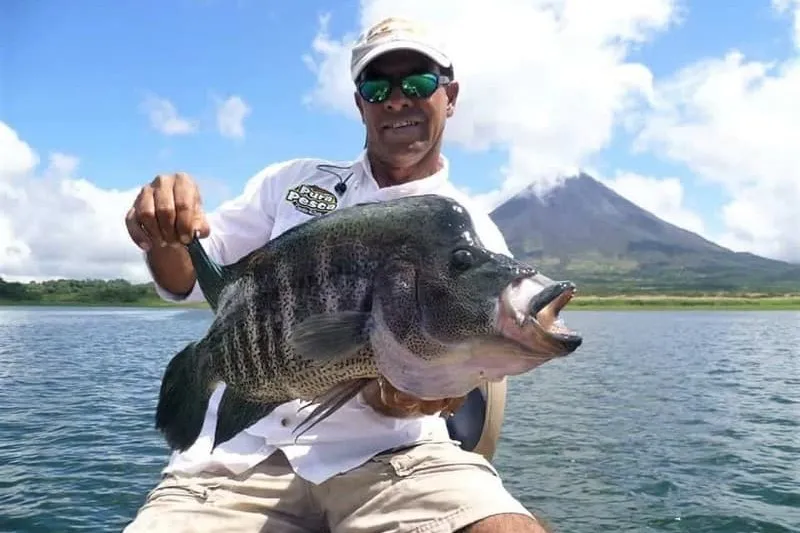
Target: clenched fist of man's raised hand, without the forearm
column 167, row 212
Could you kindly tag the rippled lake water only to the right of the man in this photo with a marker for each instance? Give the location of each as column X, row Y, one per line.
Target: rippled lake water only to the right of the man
column 650, row 430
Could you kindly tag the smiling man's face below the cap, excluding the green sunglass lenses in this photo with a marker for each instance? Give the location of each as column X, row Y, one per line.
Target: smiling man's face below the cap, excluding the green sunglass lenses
column 389, row 134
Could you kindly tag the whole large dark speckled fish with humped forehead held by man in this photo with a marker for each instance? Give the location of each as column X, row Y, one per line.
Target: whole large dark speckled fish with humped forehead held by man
column 401, row 289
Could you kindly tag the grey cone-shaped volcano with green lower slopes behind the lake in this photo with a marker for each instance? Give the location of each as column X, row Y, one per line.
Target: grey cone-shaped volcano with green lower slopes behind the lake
column 585, row 231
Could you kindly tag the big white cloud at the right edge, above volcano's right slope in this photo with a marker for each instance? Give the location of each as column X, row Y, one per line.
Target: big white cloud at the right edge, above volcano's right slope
column 734, row 122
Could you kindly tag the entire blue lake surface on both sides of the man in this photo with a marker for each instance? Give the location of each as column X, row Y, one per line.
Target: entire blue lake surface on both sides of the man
column 663, row 421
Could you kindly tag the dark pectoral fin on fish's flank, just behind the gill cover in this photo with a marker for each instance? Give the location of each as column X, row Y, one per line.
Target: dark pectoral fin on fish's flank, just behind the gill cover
column 327, row 337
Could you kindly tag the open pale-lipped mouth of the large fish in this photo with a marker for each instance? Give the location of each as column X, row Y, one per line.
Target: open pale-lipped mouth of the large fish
column 529, row 314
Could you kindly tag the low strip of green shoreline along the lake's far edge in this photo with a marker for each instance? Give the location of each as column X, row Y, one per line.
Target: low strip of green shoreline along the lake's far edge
column 586, row 302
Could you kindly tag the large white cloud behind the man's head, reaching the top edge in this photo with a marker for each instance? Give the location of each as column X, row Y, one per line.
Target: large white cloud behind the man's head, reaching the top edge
column 545, row 80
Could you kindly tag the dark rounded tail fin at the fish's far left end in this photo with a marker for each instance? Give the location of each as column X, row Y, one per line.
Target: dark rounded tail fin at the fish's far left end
column 183, row 399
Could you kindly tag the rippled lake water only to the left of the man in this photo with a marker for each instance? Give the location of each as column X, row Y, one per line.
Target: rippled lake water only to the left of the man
column 78, row 451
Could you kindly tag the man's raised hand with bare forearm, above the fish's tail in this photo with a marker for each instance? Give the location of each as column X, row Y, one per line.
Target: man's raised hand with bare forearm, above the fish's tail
column 167, row 214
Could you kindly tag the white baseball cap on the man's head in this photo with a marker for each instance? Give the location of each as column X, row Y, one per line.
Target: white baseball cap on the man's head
column 394, row 33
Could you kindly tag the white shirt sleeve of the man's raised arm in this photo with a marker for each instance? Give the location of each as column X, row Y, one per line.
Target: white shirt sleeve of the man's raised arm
column 238, row 226
